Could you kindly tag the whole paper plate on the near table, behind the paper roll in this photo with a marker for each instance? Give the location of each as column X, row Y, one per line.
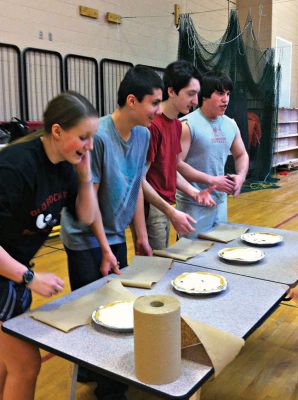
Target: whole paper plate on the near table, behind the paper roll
column 199, row 283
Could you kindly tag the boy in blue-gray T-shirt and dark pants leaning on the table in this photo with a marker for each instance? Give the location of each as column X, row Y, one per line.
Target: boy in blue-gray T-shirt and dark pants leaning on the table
column 118, row 165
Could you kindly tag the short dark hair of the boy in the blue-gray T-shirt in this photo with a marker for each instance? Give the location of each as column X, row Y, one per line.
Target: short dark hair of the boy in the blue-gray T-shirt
column 139, row 81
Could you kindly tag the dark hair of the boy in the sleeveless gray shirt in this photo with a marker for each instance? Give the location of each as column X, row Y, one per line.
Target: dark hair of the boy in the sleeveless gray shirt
column 214, row 81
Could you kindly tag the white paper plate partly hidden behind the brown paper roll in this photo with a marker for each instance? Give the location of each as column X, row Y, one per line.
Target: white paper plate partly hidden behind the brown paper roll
column 116, row 316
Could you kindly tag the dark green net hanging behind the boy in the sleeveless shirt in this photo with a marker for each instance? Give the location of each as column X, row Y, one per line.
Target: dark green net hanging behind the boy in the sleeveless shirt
column 254, row 100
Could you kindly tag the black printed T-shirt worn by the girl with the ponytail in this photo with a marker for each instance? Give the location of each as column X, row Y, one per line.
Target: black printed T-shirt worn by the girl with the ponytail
column 33, row 191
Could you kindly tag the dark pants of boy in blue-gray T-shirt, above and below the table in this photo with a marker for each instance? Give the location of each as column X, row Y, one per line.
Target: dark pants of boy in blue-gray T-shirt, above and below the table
column 83, row 268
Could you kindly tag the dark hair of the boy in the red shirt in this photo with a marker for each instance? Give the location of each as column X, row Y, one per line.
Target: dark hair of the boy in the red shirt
column 177, row 75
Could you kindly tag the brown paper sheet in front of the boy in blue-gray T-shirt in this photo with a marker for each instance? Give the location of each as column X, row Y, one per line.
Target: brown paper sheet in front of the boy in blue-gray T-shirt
column 144, row 271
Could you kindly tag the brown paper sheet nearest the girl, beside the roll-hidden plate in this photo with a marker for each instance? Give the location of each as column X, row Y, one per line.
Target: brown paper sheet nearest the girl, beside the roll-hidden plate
column 78, row 312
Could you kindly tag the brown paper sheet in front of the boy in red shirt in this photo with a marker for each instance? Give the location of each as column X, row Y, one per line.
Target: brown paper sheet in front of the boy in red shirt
column 184, row 249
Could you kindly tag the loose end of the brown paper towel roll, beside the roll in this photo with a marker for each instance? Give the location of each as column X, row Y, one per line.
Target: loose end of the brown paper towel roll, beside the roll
column 221, row 347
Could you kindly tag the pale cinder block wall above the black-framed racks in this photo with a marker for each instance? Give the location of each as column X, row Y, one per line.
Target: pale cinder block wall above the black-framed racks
column 150, row 39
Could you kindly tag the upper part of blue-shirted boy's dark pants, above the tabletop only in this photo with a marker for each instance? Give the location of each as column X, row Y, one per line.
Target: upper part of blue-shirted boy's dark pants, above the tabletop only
column 83, row 265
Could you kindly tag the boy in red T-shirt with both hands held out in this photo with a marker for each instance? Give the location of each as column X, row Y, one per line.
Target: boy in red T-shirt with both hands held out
column 181, row 88
